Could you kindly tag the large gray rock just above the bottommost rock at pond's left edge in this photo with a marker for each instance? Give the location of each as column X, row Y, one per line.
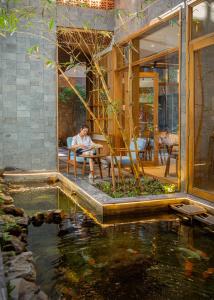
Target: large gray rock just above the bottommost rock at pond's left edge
column 22, row 266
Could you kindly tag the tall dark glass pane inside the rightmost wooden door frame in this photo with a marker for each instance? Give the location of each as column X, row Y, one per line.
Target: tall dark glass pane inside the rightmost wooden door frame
column 204, row 119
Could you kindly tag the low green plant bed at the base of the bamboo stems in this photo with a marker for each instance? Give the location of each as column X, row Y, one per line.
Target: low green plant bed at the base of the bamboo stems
column 129, row 188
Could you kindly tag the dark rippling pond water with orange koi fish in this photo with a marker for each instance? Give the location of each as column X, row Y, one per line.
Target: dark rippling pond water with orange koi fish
column 79, row 259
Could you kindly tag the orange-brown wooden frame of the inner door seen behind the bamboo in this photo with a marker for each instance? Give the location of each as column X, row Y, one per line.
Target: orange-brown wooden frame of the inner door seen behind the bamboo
column 155, row 77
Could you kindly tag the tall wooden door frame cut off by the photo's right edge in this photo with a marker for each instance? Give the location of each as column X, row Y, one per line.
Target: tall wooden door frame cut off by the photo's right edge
column 195, row 45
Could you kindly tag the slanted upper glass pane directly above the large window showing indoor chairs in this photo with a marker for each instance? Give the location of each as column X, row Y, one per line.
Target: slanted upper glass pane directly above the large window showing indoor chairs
column 157, row 40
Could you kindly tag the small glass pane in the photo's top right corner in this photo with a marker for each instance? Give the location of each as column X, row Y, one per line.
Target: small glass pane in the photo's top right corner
column 203, row 18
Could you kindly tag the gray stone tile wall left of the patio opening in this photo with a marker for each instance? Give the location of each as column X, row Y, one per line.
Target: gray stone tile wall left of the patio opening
column 28, row 121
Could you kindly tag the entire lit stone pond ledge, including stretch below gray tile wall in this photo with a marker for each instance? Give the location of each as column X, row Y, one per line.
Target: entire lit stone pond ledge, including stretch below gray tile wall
column 102, row 205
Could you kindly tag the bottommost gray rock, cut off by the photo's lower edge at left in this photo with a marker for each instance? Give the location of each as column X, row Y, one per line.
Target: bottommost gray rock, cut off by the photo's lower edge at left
column 26, row 290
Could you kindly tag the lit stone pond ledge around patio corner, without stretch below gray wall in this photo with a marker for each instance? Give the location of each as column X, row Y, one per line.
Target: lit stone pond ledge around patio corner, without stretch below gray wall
column 105, row 205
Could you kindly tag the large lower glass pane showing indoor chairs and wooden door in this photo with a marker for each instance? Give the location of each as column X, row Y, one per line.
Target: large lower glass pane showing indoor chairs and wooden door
column 160, row 122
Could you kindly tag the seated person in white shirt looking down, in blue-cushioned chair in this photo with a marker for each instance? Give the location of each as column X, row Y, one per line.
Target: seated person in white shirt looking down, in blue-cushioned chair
column 84, row 144
